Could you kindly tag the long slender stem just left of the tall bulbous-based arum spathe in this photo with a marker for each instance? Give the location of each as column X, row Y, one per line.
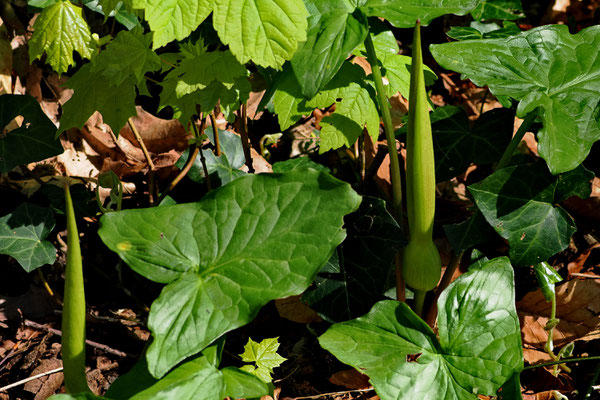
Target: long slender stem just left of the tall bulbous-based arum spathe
column 384, row 107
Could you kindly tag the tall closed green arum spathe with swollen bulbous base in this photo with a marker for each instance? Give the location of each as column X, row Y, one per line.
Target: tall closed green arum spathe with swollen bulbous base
column 421, row 260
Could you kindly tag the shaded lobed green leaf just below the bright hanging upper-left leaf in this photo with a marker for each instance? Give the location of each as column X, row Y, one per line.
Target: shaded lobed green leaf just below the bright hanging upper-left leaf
column 92, row 92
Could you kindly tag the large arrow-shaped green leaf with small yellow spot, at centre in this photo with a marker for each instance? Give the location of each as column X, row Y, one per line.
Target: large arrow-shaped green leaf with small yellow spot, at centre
column 226, row 256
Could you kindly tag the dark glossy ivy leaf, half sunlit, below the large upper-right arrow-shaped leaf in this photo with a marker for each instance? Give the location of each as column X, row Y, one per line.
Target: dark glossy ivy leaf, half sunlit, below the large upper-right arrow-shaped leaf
column 519, row 202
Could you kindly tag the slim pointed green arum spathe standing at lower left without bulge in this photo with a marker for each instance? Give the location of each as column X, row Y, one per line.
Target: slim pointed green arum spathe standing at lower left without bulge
column 73, row 318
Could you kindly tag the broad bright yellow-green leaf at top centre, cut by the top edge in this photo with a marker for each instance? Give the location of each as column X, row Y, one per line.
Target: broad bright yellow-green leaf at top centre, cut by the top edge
column 265, row 31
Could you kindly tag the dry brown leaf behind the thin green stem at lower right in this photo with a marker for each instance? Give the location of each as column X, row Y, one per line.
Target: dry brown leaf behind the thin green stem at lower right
column 577, row 307
